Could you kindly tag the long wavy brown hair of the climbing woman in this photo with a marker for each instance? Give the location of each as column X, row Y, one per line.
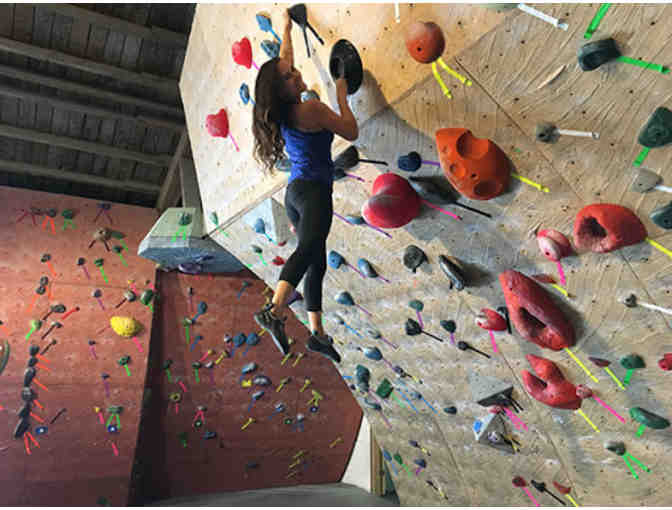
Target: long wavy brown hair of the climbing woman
column 270, row 110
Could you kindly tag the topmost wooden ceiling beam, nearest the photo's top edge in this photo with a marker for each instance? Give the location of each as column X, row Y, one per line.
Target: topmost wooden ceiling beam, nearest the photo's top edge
column 157, row 34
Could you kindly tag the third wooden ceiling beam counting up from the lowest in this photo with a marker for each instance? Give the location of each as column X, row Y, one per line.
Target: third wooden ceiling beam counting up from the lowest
column 79, row 88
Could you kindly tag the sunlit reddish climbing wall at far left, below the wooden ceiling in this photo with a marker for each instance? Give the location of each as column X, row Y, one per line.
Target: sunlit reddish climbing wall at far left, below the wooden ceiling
column 75, row 463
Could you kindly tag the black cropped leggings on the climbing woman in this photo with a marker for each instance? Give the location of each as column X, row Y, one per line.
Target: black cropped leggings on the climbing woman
column 310, row 208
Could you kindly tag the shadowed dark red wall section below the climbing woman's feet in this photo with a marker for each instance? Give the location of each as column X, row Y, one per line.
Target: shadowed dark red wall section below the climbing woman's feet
column 219, row 464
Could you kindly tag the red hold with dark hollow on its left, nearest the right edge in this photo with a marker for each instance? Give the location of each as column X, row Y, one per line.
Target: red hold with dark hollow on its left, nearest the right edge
column 606, row 227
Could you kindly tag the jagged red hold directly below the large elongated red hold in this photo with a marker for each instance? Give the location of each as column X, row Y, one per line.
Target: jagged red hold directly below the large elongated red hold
column 551, row 387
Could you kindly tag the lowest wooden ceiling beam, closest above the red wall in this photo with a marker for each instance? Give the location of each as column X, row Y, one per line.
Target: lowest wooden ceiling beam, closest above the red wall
column 29, row 135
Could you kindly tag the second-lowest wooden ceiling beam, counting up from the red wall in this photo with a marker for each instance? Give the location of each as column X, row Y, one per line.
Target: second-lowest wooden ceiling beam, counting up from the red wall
column 95, row 111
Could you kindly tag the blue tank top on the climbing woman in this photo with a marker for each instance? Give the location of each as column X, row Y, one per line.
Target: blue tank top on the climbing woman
column 310, row 154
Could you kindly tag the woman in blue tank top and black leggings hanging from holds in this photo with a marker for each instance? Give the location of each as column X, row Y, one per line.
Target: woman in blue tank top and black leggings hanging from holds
column 306, row 131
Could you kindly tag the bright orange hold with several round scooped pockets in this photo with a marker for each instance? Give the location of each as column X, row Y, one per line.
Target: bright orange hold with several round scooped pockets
column 475, row 167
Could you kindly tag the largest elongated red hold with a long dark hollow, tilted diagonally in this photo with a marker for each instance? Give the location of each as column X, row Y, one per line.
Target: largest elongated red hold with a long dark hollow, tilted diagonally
column 534, row 314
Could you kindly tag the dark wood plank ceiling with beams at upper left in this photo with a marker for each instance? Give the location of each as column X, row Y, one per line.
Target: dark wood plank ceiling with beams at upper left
column 89, row 99
